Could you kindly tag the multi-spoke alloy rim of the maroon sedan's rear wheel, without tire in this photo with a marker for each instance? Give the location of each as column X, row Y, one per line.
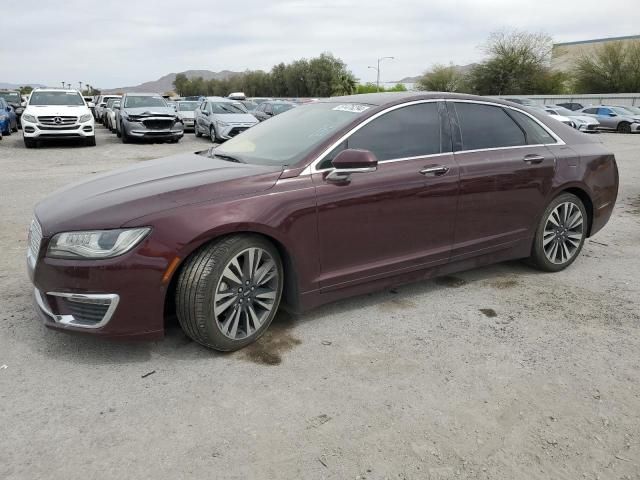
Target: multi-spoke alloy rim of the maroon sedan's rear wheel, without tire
column 563, row 233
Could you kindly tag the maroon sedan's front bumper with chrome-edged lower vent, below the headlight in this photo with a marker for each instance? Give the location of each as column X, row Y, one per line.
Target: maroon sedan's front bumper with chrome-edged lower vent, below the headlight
column 122, row 297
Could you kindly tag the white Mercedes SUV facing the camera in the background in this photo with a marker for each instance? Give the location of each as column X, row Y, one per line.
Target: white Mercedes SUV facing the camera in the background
column 57, row 113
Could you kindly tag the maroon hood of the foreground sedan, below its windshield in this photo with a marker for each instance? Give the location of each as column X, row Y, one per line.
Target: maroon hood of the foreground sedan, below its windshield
column 114, row 199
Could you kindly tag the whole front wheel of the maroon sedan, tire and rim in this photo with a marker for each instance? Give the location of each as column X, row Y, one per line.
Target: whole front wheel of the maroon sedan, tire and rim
column 229, row 291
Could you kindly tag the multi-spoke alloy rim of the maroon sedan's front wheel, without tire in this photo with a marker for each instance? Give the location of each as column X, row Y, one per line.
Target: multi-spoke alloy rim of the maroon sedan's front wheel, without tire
column 246, row 293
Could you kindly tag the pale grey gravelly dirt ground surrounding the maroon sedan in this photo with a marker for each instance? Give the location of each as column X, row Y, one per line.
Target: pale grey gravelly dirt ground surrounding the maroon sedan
column 496, row 373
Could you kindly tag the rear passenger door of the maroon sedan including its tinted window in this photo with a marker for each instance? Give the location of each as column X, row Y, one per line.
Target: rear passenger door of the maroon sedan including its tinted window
column 506, row 173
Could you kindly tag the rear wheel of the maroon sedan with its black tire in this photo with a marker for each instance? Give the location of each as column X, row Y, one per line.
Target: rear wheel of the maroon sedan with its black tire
column 547, row 234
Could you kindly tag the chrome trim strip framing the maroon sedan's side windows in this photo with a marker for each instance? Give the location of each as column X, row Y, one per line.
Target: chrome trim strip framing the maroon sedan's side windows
column 312, row 167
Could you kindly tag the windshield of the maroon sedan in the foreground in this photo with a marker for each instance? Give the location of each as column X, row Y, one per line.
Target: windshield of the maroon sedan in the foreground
column 286, row 138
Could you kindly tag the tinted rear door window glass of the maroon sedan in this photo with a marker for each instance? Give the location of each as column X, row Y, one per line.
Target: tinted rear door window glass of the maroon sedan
column 486, row 126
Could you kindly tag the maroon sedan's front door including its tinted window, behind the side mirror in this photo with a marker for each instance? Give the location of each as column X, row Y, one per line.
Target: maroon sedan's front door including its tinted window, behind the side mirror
column 399, row 218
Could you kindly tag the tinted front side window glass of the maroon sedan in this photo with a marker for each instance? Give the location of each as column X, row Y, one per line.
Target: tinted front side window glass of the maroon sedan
column 406, row 132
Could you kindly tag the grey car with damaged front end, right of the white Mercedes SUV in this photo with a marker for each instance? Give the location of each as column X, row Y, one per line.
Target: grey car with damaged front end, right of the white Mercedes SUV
column 147, row 115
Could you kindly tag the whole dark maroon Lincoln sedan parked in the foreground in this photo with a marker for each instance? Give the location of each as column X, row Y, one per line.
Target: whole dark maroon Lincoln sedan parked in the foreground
column 328, row 200
